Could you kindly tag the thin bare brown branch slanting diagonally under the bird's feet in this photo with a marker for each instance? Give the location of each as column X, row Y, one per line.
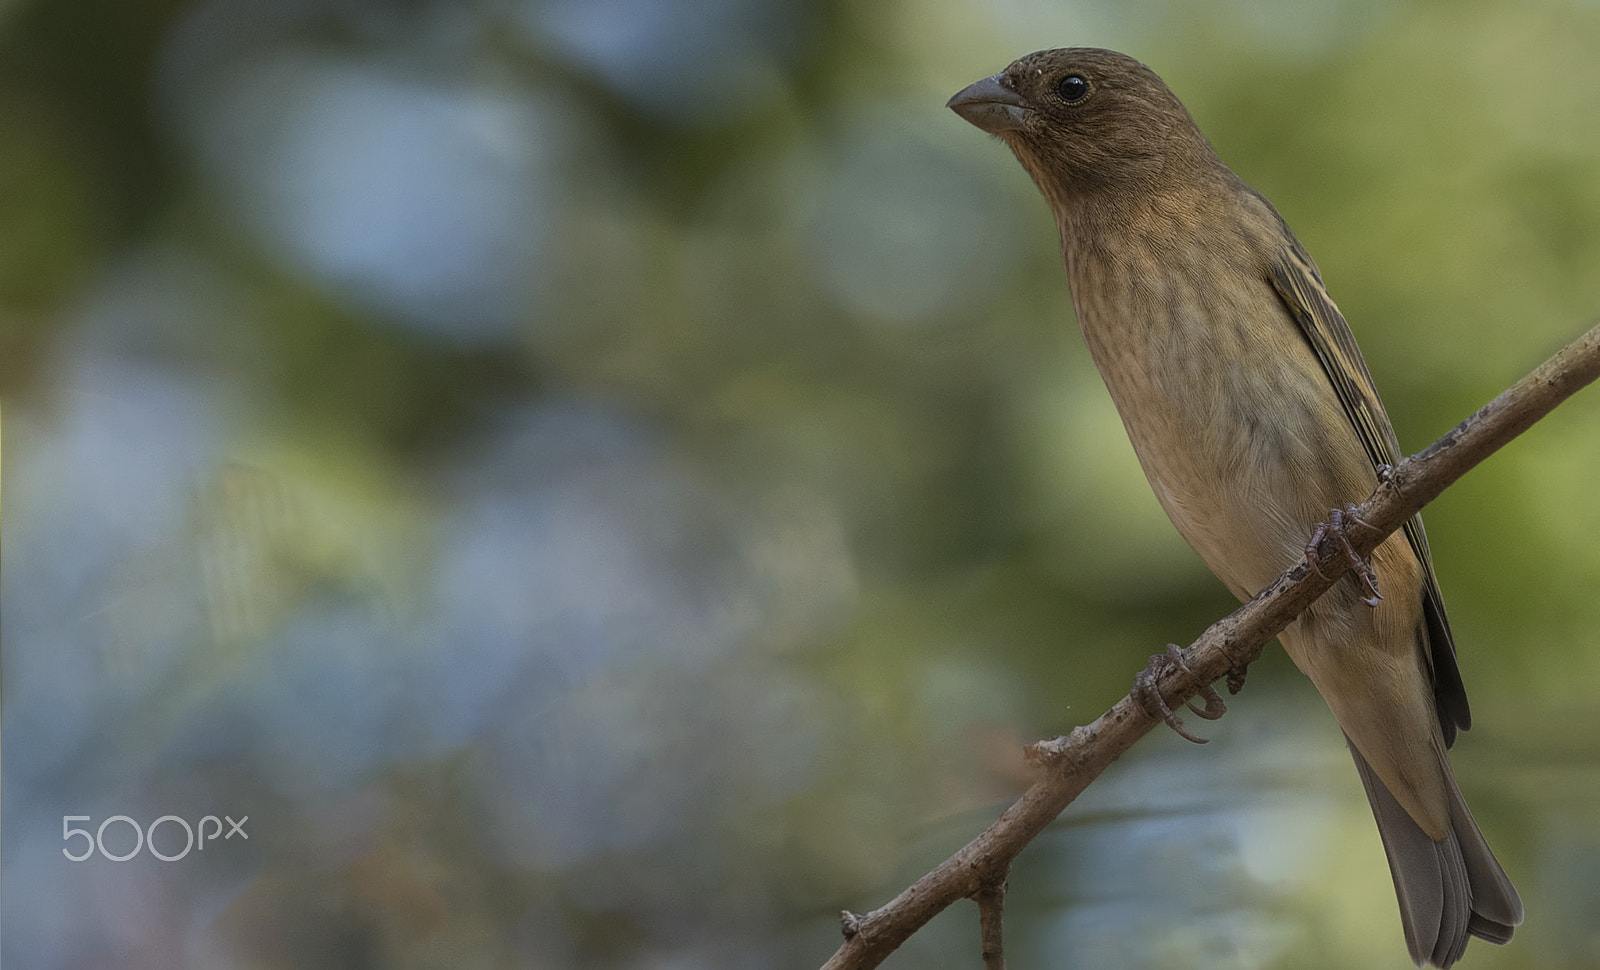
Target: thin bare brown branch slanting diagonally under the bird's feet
column 1070, row 764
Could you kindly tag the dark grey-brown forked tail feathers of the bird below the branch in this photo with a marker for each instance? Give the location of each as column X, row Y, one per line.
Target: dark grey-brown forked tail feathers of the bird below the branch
column 1449, row 891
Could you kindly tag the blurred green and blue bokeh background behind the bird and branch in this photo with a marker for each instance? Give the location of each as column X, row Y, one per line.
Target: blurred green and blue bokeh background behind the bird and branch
column 614, row 483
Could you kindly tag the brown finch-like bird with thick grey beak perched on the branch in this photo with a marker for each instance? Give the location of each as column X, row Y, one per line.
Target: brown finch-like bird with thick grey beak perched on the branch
column 1254, row 417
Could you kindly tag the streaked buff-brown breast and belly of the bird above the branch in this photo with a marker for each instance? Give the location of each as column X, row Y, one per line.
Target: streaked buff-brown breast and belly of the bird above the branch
column 1231, row 414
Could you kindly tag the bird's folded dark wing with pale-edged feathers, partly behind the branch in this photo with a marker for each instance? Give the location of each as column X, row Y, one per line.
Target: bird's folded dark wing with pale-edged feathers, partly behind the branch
column 1300, row 287
